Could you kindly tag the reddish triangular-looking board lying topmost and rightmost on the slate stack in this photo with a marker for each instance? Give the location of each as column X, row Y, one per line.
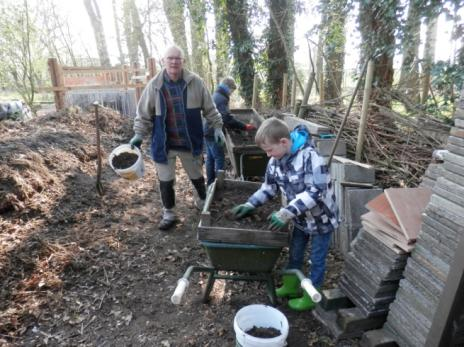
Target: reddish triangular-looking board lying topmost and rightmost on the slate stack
column 408, row 205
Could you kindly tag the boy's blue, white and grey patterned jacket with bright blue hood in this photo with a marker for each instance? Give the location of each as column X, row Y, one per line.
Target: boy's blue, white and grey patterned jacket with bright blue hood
column 305, row 183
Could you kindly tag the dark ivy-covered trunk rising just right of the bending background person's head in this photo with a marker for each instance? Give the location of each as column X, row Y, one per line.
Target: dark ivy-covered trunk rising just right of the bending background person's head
column 242, row 46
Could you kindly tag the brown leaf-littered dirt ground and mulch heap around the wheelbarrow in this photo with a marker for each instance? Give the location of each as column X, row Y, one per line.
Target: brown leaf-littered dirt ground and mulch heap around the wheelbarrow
column 79, row 269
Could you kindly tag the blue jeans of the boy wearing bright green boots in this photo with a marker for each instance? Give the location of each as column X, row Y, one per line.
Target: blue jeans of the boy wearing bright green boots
column 319, row 248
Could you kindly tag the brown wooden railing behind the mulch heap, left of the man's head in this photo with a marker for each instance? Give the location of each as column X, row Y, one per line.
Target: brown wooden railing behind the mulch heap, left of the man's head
column 65, row 78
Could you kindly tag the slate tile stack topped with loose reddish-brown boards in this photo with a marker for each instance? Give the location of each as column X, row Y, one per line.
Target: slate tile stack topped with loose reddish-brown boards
column 379, row 253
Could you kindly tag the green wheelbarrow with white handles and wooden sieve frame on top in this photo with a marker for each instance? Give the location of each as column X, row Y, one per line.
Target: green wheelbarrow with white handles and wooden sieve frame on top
column 244, row 254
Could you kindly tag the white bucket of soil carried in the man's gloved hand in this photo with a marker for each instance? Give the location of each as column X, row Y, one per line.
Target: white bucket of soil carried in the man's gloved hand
column 127, row 162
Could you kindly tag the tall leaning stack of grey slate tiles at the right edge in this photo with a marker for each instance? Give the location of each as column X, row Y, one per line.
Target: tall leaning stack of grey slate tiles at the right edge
column 411, row 314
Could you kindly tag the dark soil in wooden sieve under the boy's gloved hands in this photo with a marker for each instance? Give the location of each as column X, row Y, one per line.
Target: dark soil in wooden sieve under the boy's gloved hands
column 228, row 198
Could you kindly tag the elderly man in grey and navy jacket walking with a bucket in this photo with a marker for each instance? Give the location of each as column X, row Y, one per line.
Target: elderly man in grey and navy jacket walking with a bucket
column 172, row 106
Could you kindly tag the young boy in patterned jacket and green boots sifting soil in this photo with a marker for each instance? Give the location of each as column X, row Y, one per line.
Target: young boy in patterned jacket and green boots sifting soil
column 299, row 172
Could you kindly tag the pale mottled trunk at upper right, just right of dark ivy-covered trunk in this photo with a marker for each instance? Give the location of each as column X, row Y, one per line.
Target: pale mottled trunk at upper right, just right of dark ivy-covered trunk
column 409, row 77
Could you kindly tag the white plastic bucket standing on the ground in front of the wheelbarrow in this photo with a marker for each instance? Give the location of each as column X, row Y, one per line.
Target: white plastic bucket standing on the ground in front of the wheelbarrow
column 261, row 316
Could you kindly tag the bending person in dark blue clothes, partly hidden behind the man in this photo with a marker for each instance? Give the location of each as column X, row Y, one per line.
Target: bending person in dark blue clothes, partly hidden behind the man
column 215, row 159
